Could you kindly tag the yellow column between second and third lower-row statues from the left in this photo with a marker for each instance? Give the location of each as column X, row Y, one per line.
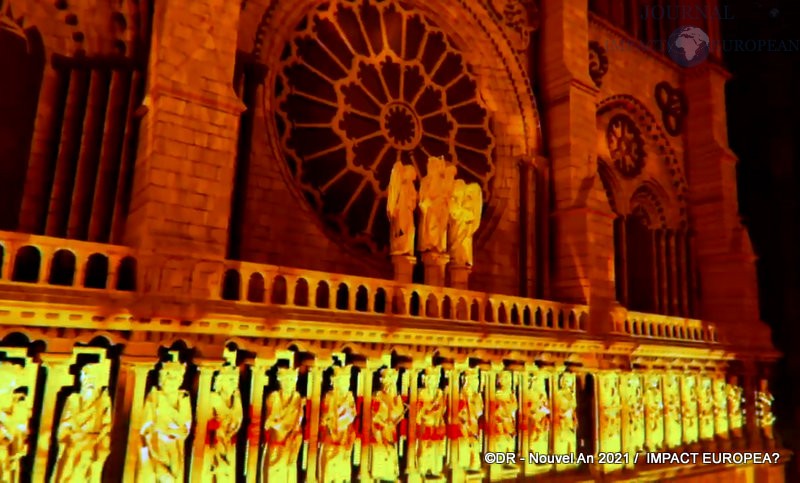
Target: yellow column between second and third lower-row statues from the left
column 136, row 395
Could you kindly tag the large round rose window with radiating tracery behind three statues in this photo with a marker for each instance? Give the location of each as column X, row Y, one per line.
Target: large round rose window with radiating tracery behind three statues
column 363, row 85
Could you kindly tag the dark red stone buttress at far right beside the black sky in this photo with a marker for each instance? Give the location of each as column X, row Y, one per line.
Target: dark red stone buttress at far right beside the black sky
column 724, row 255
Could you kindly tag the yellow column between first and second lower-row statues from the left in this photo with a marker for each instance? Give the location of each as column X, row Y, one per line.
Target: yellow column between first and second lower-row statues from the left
column 57, row 376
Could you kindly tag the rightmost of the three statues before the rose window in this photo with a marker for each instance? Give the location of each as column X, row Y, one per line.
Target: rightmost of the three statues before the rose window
column 465, row 217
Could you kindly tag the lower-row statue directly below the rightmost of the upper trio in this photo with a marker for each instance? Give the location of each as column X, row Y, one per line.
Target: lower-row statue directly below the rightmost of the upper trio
column 470, row 411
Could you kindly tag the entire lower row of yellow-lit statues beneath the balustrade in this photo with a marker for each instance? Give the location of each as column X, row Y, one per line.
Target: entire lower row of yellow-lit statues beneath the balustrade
column 497, row 410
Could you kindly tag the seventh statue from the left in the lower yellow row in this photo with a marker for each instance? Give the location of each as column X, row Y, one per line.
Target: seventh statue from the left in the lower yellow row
column 388, row 410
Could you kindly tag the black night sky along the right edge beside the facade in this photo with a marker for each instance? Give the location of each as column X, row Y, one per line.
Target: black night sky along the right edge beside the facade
column 764, row 130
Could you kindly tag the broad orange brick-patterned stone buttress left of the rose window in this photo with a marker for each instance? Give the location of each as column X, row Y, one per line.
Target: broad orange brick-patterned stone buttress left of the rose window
column 181, row 193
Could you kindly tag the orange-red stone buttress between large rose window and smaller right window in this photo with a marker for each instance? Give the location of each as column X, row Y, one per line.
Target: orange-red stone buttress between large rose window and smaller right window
column 583, row 221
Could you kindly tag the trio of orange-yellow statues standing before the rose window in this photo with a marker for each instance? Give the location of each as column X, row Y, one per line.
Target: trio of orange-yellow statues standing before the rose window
column 450, row 211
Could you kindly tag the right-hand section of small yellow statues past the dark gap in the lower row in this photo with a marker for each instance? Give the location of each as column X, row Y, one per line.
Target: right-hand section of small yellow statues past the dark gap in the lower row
column 652, row 411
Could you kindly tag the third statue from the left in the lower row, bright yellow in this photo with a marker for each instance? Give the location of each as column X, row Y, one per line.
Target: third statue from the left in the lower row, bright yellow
column 167, row 422
